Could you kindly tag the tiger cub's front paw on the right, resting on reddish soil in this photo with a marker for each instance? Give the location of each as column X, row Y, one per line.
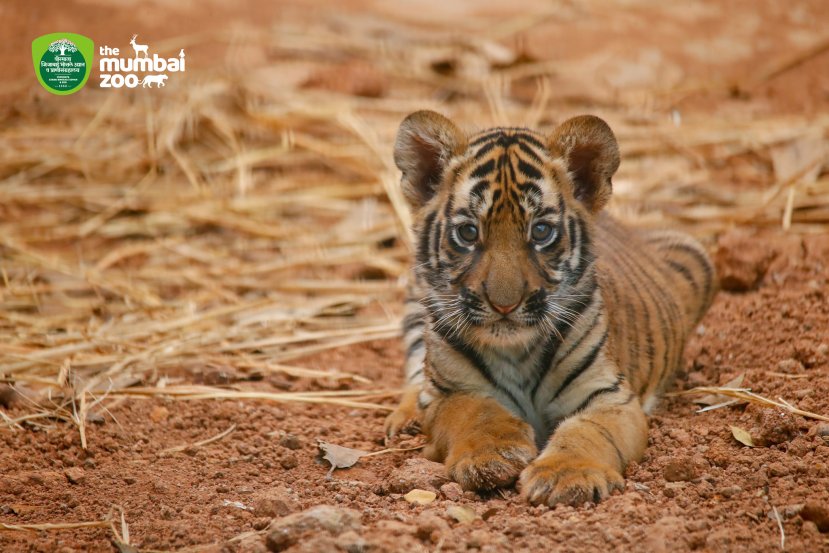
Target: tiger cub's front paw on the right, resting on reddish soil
column 562, row 478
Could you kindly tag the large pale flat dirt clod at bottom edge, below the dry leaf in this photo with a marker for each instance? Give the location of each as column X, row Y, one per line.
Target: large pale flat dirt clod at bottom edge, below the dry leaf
column 287, row 531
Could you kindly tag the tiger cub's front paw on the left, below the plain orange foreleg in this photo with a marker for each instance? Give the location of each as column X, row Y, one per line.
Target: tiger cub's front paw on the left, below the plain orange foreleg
column 489, row 463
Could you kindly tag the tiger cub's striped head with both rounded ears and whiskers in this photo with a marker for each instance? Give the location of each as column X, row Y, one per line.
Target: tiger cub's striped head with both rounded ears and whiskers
column 503, row 222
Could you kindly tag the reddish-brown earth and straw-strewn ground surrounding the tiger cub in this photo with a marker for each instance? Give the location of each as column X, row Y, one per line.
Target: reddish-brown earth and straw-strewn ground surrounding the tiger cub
column 224, row 233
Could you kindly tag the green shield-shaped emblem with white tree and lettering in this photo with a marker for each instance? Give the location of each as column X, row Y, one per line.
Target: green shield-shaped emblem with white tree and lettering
column 62, row 61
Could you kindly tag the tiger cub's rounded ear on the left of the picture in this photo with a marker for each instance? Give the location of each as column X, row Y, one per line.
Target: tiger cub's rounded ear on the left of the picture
column 425, row 143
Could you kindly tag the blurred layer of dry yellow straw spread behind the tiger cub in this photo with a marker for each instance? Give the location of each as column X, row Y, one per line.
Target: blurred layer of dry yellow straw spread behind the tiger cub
column 247, row 221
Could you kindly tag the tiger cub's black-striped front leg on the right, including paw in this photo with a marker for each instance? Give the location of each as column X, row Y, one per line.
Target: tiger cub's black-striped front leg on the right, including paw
column 588, row 453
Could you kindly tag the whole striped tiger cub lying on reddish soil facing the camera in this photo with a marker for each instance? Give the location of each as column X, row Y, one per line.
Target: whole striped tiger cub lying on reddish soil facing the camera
column 538, row 330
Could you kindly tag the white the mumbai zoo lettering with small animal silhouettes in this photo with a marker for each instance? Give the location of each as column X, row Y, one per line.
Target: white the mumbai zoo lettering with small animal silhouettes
column 118, row 71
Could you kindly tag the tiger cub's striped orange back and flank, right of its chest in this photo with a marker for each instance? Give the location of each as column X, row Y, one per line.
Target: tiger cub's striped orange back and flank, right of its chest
column 656, row 285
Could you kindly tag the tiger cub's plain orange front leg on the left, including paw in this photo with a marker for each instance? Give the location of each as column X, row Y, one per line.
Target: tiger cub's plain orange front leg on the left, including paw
column 482, row 444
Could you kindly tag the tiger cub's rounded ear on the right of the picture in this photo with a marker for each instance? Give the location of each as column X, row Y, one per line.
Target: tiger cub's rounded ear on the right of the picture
column 589, row 148
